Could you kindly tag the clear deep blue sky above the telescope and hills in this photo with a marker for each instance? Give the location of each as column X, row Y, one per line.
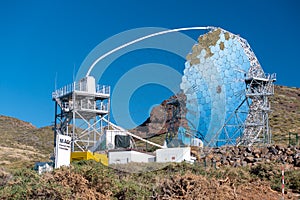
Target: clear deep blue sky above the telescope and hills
column 39, row 39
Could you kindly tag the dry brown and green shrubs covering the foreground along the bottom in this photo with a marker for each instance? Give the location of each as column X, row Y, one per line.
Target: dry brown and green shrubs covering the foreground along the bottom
column 90, row 180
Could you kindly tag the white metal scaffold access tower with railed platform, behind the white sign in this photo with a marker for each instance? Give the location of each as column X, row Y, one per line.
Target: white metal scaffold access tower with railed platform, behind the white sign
column 82, row 112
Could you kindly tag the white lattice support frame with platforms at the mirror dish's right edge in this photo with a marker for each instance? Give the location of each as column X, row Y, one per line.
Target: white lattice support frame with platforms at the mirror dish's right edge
column 259, row 86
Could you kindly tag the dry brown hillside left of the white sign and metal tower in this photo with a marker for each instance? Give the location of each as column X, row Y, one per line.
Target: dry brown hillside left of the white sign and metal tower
column 22, row 144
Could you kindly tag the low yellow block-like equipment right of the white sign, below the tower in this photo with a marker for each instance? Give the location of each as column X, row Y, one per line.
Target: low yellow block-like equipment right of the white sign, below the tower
column 87, row 155
